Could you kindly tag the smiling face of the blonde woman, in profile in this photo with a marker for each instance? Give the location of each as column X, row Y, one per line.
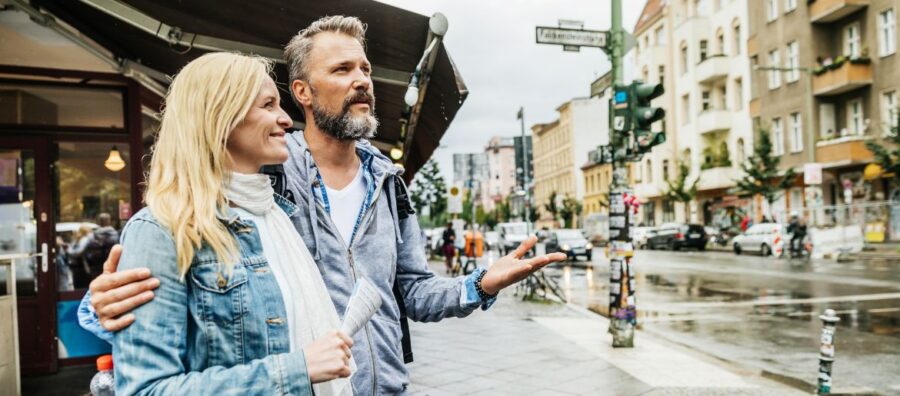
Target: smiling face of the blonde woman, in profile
column 260, row 138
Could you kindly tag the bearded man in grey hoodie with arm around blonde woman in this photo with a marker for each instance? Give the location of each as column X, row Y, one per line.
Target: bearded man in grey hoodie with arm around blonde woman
column 354, row 214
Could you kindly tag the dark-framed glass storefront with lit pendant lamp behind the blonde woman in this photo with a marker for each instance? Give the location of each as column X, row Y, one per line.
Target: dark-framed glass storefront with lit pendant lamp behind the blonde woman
column 68, row 140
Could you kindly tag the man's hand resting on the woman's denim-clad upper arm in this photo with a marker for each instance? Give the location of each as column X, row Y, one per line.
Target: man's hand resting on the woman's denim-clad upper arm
column 115, row 294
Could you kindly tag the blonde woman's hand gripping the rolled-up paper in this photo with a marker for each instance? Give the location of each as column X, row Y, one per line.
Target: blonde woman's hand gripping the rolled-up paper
column 328, row 357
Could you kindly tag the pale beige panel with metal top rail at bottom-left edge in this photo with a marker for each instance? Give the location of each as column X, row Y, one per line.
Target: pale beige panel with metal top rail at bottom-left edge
column 9, row 324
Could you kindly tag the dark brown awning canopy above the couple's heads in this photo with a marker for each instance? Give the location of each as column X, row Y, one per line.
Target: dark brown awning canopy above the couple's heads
column 396, row 41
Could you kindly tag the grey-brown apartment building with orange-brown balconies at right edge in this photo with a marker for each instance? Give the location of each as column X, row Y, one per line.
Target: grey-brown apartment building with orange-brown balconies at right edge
column 838, row 91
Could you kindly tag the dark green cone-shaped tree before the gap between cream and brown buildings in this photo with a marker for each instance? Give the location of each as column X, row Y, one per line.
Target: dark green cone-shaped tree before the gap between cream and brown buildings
column 761, row 171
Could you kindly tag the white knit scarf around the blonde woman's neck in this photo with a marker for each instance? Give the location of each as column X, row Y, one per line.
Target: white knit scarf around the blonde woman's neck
column 310, row 311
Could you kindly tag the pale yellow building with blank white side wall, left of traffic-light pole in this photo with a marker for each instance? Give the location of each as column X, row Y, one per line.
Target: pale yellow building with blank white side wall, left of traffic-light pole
column 561, row 147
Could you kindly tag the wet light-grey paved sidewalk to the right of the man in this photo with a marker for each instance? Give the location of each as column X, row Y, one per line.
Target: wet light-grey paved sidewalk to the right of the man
column 550, row 349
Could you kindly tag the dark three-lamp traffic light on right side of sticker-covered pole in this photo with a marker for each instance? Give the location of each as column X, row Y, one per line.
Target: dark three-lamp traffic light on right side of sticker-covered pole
column 643, row 115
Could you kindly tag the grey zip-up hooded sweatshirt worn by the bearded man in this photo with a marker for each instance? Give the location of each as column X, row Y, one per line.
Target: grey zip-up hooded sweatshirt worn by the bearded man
column 384, row 246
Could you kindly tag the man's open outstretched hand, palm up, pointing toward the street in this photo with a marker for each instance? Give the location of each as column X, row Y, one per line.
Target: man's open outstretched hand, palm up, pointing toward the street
column 512, row 268
